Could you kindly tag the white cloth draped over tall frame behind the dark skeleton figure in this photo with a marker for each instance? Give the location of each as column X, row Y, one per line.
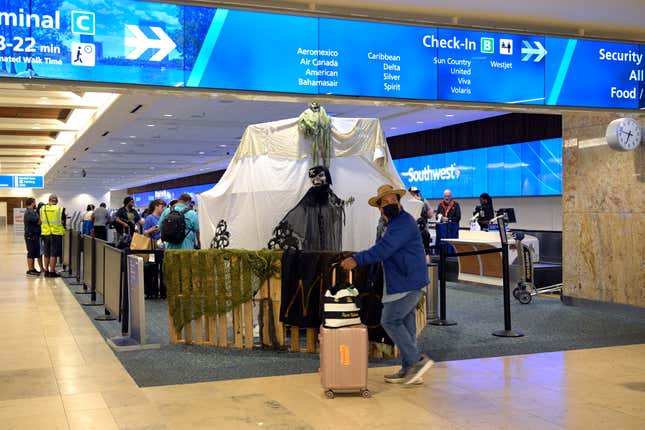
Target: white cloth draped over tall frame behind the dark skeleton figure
column 269, row 175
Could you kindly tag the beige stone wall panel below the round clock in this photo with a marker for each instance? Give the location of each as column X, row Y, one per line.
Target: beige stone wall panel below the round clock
column 603, row 214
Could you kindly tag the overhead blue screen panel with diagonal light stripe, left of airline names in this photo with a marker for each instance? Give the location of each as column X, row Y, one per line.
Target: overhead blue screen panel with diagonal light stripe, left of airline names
column 256, row 51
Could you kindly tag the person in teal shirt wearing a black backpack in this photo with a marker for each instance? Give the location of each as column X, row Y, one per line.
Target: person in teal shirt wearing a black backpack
column 179, row 224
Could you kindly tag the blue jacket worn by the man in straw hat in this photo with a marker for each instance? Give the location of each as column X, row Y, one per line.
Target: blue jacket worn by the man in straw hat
column 401, row 251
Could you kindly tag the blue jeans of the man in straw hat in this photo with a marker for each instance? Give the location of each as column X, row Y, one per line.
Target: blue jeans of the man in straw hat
column 400, row 322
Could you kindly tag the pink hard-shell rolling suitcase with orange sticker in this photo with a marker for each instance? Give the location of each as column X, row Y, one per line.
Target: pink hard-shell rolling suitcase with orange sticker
column 343, row 360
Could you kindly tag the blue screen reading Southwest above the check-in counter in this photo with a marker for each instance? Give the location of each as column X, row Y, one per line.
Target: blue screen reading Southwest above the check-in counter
column 521, row 169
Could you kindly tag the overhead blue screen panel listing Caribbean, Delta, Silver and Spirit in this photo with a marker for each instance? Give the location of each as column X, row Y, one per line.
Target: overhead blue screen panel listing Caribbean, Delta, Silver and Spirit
column 373, row 59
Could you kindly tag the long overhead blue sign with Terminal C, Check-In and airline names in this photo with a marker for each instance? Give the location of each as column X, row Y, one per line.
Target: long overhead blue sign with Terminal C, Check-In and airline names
column 215, row 48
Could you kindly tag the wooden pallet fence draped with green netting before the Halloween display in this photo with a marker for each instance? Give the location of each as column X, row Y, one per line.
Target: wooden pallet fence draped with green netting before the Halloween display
column 232, row 298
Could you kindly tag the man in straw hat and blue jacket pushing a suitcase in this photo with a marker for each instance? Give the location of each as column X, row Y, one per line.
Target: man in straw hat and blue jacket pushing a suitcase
column 401, row 252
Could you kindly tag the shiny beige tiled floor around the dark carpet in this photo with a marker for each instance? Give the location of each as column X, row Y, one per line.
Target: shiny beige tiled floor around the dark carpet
column 56, row 372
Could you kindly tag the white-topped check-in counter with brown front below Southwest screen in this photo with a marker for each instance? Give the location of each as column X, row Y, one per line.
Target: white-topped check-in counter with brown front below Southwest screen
column 486, row 268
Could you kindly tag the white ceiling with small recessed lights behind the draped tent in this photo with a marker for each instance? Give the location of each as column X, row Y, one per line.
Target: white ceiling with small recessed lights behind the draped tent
column 166, row 137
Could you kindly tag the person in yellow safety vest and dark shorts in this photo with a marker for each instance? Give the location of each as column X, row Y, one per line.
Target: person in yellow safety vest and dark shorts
column 52, row 232
